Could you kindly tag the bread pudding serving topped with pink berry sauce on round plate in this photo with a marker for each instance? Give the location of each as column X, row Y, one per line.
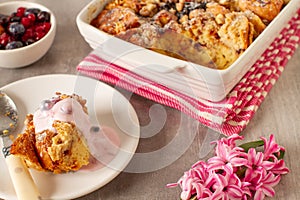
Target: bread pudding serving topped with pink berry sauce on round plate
column 59, row 148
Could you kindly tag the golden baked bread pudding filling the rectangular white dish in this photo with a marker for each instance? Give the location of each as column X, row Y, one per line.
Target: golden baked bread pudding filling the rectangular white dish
column 213, row 33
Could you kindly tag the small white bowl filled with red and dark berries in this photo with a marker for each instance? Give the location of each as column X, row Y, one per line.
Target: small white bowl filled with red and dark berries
column 27, row 31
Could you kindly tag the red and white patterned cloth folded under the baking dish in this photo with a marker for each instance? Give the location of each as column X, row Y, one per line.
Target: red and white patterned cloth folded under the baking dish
column 229, row 116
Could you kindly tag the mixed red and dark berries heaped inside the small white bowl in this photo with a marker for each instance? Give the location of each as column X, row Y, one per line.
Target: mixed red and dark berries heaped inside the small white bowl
column 23, row 27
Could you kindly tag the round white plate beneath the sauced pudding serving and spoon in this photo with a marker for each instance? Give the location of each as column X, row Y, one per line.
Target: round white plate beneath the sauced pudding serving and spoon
column 111, row 109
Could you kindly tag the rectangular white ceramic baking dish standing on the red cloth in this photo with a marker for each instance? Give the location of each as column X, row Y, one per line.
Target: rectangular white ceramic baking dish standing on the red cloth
column 191, row 79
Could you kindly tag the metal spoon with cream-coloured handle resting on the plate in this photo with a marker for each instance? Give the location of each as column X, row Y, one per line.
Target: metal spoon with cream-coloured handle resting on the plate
column 24, row 185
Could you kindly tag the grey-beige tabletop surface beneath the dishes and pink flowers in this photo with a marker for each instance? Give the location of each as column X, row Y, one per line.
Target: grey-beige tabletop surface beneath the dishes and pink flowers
column 279, row 114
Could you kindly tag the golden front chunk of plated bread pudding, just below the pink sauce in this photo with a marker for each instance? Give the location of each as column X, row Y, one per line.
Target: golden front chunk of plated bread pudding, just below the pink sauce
column 63, row 150
